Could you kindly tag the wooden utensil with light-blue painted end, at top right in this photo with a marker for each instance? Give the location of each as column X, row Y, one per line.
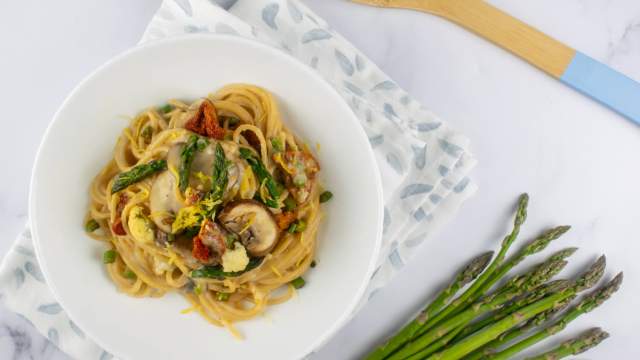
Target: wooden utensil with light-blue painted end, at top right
column 573, row 68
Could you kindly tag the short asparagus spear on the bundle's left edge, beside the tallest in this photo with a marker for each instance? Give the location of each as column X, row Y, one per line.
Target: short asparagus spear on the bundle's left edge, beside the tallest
column 465, row 276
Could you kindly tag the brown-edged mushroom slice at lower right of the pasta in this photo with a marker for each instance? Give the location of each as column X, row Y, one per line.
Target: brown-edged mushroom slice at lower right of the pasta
column 253, row 223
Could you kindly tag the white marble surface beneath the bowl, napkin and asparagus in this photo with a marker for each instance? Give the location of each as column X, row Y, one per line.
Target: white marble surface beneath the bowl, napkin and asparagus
column 530, row 133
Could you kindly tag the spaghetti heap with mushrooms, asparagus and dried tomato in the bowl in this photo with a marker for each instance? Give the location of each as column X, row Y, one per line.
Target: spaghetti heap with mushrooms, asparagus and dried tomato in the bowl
column 216, row 199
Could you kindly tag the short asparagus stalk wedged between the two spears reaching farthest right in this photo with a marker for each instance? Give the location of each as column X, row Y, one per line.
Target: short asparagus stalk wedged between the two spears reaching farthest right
column 506, row 337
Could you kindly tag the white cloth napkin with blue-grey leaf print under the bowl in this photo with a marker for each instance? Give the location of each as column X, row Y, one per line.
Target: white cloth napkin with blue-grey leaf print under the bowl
column 423, row 163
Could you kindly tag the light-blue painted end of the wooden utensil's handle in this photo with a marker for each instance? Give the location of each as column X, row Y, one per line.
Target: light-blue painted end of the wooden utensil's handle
column 604, row 84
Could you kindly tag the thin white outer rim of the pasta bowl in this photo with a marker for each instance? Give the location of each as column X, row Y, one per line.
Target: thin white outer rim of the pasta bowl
column 349, row 309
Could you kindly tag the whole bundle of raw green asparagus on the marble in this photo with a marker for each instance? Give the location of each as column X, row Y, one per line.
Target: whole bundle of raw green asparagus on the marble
column 497, row 318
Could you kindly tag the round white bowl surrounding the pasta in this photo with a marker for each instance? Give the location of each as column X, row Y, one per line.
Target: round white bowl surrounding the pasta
column 79, row 142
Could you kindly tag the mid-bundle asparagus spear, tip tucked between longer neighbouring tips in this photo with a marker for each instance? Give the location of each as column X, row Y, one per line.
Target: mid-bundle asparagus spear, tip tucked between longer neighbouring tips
column 535, row 278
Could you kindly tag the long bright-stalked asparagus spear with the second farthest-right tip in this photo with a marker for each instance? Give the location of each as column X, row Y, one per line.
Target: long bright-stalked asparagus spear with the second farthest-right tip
column 588, row 279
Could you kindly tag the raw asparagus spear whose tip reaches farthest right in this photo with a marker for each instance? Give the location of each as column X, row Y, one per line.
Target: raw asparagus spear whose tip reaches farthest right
column 589, row 303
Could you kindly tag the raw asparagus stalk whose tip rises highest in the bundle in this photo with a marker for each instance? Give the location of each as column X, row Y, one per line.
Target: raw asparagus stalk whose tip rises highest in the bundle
column 472, row 294
